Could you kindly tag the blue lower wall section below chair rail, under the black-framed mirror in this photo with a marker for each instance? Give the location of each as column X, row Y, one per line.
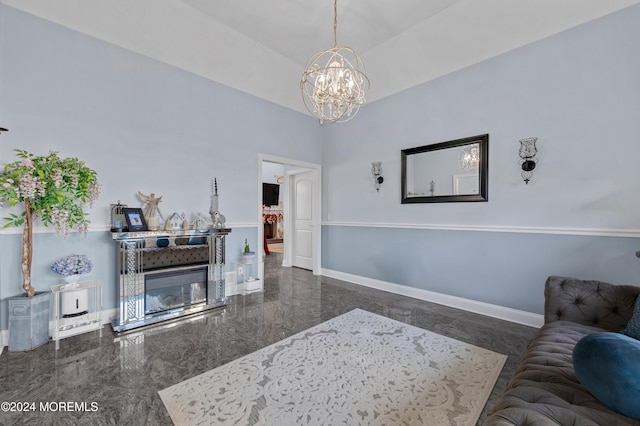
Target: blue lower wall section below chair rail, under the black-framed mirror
column 501, row 268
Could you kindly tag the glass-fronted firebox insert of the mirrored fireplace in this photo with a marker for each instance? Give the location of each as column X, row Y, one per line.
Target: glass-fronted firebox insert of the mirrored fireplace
column 167, row 290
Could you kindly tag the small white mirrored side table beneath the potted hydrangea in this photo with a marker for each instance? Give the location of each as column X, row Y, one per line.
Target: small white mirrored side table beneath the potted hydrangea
column 78, row 322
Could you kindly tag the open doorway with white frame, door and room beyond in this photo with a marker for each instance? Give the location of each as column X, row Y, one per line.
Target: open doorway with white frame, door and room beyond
column 300, row 209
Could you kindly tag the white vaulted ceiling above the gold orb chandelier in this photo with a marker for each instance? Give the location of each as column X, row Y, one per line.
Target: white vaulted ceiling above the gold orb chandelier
column 261, row 47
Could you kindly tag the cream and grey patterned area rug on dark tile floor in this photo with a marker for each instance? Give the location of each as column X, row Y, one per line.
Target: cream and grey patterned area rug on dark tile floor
column 358, row 368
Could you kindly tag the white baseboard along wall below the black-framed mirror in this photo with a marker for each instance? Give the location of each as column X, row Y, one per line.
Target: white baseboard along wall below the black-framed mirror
column 495, row 311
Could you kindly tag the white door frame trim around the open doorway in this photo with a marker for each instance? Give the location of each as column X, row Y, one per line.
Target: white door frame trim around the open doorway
column 317, row 208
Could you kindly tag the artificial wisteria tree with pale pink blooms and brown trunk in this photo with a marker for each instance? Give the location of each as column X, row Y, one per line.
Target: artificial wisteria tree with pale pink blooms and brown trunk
column 52, row 189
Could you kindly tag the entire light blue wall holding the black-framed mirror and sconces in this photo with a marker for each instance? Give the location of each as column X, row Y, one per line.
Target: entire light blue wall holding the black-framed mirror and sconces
column 578, row 92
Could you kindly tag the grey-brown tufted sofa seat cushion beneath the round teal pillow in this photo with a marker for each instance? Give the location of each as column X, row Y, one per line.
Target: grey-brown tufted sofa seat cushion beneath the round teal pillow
column 544, row 389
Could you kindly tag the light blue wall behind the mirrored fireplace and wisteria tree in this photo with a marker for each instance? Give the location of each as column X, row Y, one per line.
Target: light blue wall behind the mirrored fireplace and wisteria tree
column 143, row 126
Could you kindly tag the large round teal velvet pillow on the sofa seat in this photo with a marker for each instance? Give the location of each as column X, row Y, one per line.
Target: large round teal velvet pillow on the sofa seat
column 608, row 365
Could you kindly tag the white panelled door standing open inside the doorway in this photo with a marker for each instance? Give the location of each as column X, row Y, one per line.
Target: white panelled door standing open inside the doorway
column 303, row 220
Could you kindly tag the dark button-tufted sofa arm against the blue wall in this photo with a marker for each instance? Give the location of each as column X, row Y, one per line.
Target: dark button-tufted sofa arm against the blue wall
column 592, row 303
